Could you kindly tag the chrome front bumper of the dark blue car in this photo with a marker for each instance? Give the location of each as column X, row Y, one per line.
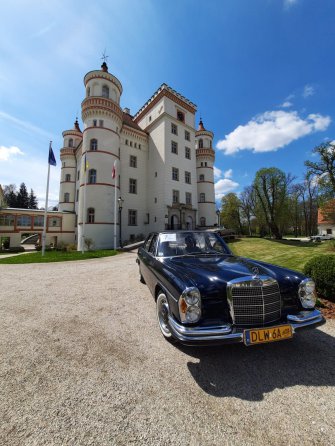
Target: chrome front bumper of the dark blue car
column 227, row 334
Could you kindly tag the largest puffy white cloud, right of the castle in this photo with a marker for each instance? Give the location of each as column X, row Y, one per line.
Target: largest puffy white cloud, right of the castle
column 271, row 130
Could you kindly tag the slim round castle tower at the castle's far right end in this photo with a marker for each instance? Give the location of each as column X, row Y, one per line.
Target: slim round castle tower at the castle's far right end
column 205, row 156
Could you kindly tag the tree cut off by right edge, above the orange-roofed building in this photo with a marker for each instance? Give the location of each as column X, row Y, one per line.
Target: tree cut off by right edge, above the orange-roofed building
column 325, row 168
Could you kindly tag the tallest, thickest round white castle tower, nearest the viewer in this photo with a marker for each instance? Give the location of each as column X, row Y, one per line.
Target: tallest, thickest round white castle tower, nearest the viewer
column 102, row 118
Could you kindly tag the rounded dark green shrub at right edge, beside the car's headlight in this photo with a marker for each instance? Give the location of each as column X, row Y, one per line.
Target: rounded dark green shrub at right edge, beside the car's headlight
column 322, row 270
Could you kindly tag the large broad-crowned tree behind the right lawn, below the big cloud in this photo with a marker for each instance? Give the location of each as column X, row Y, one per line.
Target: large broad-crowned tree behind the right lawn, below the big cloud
column 271, row 187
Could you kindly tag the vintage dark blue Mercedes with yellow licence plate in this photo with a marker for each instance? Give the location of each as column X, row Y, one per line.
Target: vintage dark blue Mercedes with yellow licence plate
column 204, row 294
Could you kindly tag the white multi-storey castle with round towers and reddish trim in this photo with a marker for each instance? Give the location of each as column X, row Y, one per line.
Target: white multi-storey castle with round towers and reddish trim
column 164, row 178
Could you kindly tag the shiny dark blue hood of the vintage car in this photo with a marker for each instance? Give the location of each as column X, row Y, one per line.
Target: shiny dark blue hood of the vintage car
column 211, row 273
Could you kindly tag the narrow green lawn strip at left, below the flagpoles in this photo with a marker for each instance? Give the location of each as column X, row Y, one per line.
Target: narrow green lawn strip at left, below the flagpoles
column 57, row 256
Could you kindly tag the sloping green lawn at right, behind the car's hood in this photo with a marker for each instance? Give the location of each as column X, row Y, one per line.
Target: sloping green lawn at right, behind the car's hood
column 290, row 254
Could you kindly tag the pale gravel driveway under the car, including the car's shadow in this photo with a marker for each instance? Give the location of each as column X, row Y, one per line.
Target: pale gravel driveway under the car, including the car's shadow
column 83, row 363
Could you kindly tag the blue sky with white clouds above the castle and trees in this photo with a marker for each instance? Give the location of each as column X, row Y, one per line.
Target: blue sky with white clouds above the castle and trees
column 260, row 71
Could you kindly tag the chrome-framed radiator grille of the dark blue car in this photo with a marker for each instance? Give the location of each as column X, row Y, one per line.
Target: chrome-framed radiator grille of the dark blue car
column 254, row 302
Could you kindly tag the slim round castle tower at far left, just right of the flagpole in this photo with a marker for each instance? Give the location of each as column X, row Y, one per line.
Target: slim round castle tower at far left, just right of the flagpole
column 67, row 191
